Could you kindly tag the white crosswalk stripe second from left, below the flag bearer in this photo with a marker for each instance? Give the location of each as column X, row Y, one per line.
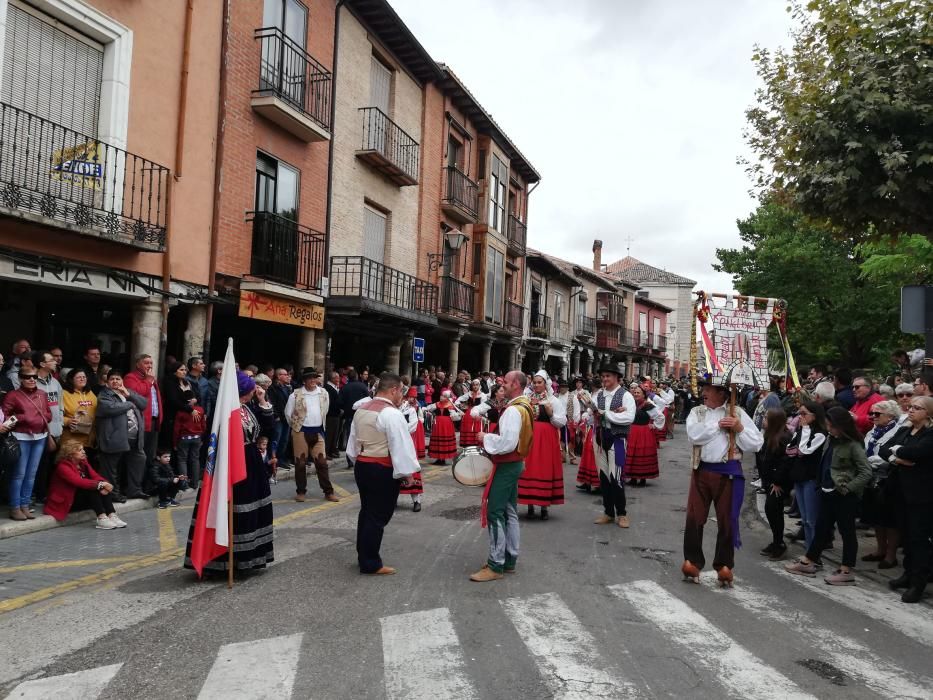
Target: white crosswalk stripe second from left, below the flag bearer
column 263, row 669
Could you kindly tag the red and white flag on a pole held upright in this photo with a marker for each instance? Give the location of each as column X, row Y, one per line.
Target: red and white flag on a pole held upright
column 226, row 465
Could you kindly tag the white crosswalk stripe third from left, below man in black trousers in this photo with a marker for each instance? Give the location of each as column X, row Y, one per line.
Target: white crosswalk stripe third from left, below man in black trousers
column 423, row 658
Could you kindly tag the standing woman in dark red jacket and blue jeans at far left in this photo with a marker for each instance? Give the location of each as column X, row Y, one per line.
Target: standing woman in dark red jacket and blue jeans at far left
column 30, row 407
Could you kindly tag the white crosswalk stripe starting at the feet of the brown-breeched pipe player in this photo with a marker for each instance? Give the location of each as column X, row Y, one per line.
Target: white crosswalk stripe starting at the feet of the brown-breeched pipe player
column 858, row 660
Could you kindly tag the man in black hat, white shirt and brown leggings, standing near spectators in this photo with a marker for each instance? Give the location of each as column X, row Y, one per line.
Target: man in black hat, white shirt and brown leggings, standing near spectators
column 306, row 411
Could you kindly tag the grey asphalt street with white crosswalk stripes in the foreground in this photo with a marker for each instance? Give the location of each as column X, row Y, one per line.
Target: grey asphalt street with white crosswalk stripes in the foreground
column 594, row 611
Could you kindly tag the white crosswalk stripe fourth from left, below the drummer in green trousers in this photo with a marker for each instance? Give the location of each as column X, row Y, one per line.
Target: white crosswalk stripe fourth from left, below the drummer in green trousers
column 566, row 654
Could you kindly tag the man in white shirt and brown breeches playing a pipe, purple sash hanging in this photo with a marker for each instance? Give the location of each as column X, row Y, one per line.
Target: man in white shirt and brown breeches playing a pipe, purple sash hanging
column 717, row 479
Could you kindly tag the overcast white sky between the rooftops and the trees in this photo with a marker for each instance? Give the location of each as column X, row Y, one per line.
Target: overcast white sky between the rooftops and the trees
column 631, row 110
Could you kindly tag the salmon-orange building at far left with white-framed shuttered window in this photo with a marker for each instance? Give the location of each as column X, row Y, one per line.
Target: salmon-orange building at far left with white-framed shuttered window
column 108, row 120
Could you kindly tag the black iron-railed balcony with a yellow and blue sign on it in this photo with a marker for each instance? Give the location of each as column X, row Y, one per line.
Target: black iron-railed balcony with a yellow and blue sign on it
column 53, row 175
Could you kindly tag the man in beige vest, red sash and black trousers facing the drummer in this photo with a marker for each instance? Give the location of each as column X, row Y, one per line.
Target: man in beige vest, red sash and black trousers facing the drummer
column 384, row 461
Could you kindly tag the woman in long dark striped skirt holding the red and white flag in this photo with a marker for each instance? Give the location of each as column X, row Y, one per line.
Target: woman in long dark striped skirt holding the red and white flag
column 252, row 500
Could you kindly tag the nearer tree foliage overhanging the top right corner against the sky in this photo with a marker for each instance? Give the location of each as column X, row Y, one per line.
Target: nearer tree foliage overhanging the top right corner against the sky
column 842, row 128
